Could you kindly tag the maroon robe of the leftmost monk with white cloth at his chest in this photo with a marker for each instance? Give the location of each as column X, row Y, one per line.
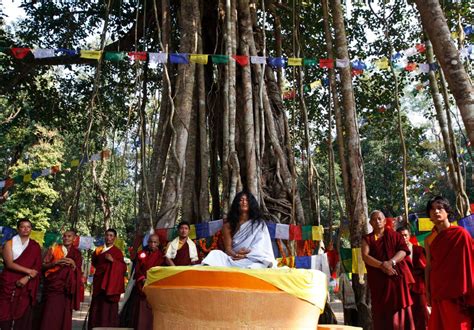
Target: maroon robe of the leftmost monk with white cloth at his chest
column 16, row 303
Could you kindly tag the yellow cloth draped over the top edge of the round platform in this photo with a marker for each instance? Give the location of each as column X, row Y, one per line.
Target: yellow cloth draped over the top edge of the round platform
column 306, row 284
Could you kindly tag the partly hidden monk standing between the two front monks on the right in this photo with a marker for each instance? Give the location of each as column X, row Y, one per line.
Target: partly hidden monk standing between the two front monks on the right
column 417, row 266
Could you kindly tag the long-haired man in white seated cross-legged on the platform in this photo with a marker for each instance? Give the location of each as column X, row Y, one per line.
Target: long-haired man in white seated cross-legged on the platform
column 247, row 241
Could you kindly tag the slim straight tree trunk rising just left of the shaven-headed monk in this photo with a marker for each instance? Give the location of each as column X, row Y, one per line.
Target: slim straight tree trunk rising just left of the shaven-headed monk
column 358, row 216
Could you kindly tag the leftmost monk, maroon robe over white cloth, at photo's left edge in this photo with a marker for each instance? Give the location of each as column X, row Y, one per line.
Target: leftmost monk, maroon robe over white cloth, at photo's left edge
column 20, row 279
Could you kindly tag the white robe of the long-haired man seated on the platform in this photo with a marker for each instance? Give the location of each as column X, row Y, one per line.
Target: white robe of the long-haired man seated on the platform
column 254, row 237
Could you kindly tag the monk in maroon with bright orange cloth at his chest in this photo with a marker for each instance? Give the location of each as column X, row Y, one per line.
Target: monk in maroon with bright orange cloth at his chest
column 62, row 284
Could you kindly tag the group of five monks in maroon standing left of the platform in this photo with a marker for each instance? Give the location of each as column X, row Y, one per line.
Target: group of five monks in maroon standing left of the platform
column 63, row 290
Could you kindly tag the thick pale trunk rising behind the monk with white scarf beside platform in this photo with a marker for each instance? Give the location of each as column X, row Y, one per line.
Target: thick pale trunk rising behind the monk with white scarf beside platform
column 180, row 119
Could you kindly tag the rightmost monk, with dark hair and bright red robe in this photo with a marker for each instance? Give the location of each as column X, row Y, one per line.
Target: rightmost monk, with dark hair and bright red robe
column 449, row 270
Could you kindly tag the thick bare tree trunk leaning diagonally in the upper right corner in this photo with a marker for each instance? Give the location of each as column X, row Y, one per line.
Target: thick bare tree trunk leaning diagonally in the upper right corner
column 434, row 23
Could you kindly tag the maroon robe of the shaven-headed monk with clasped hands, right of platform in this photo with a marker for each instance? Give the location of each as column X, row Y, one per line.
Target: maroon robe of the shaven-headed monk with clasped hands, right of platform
column 390, row 295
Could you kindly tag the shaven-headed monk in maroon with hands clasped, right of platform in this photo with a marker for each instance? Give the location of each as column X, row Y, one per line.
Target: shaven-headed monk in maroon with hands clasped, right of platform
column 389, row 276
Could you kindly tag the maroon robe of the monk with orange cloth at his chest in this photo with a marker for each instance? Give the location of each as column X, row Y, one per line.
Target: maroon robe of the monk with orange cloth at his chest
column 62, row 288
